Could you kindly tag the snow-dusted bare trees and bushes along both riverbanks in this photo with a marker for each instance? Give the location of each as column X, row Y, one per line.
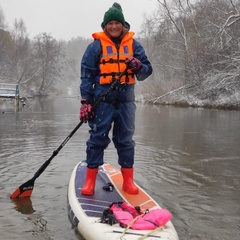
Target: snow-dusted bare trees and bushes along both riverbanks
column 193, row 45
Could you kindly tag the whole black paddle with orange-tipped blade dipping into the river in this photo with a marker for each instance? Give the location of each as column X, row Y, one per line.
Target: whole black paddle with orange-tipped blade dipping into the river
column 25, row 190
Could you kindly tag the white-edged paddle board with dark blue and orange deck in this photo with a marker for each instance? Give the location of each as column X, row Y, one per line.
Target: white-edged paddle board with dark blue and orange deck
column 85, row 212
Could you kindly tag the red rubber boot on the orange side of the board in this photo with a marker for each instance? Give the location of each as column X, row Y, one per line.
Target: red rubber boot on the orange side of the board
column 128, row 184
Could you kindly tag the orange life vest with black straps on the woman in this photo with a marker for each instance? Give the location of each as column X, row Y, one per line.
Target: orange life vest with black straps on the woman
column 112, row 62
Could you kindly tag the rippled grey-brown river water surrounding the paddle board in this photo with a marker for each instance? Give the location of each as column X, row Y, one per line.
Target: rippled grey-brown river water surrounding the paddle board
column 186, row 158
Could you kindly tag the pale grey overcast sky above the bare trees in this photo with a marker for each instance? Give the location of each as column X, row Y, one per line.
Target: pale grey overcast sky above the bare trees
column 64, row 19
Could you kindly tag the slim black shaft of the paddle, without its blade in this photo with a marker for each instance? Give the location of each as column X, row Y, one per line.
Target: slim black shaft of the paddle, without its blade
column 96, row 103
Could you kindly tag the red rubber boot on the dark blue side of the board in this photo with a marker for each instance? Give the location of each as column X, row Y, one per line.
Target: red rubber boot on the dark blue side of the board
column 89, row 185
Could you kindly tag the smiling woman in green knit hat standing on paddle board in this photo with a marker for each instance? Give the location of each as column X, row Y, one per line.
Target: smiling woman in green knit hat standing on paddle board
column 105, row 59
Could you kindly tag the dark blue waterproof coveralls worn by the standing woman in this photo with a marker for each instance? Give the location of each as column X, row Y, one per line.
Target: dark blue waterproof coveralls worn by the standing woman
column 117, row 110
